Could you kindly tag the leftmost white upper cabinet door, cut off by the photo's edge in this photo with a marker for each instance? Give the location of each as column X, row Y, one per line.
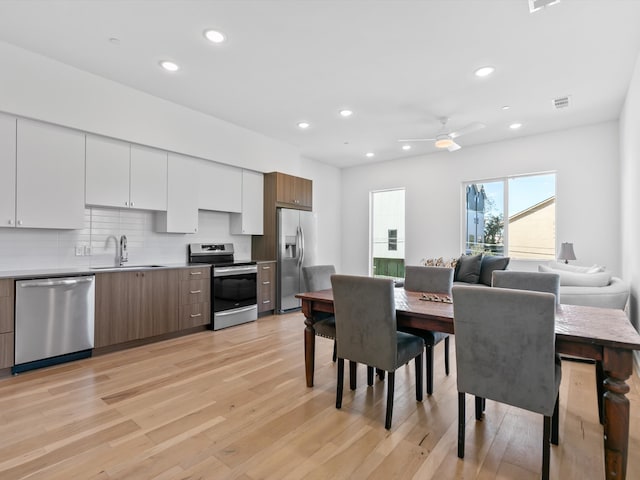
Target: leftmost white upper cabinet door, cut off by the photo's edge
column 7, row 171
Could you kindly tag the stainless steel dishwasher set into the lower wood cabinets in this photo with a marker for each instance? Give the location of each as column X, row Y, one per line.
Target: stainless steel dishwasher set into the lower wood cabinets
column 54, row 321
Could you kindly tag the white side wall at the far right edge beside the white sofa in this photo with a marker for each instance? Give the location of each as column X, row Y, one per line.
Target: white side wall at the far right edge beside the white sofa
column 630, row 191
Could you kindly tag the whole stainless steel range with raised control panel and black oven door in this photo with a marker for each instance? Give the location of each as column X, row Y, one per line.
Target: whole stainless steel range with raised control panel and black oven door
column 234, row 284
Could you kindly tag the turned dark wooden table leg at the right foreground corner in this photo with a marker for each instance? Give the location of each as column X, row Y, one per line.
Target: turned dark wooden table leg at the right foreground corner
column 618, row 367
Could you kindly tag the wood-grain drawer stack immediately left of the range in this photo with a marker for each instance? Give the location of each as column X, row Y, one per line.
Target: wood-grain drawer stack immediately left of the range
column 195, row 297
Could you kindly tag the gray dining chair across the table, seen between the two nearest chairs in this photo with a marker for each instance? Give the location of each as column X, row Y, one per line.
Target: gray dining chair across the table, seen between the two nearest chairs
column 432, row 280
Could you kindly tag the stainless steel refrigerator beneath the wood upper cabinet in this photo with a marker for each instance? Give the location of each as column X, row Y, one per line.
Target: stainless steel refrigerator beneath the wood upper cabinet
column 296, row 248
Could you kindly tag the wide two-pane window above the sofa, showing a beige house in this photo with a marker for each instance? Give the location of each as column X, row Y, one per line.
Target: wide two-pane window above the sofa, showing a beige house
column 512, row 216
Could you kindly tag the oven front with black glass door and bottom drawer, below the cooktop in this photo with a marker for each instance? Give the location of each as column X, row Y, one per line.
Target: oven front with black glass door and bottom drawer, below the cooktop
column 234, row 295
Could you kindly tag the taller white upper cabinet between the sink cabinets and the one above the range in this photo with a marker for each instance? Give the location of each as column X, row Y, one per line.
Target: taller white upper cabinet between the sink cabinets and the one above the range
column 182, row 199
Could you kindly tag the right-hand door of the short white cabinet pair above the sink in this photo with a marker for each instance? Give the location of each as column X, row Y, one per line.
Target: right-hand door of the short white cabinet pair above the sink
column 148, row 178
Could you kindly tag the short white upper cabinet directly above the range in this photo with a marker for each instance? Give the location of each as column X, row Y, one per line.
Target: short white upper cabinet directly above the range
column 219, row 187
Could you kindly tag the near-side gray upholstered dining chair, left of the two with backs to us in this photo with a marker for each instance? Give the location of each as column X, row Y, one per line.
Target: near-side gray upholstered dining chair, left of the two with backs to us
column 366, row 333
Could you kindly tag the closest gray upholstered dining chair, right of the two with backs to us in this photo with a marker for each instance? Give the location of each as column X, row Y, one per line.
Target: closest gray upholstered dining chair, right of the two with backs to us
column 505, row 351
